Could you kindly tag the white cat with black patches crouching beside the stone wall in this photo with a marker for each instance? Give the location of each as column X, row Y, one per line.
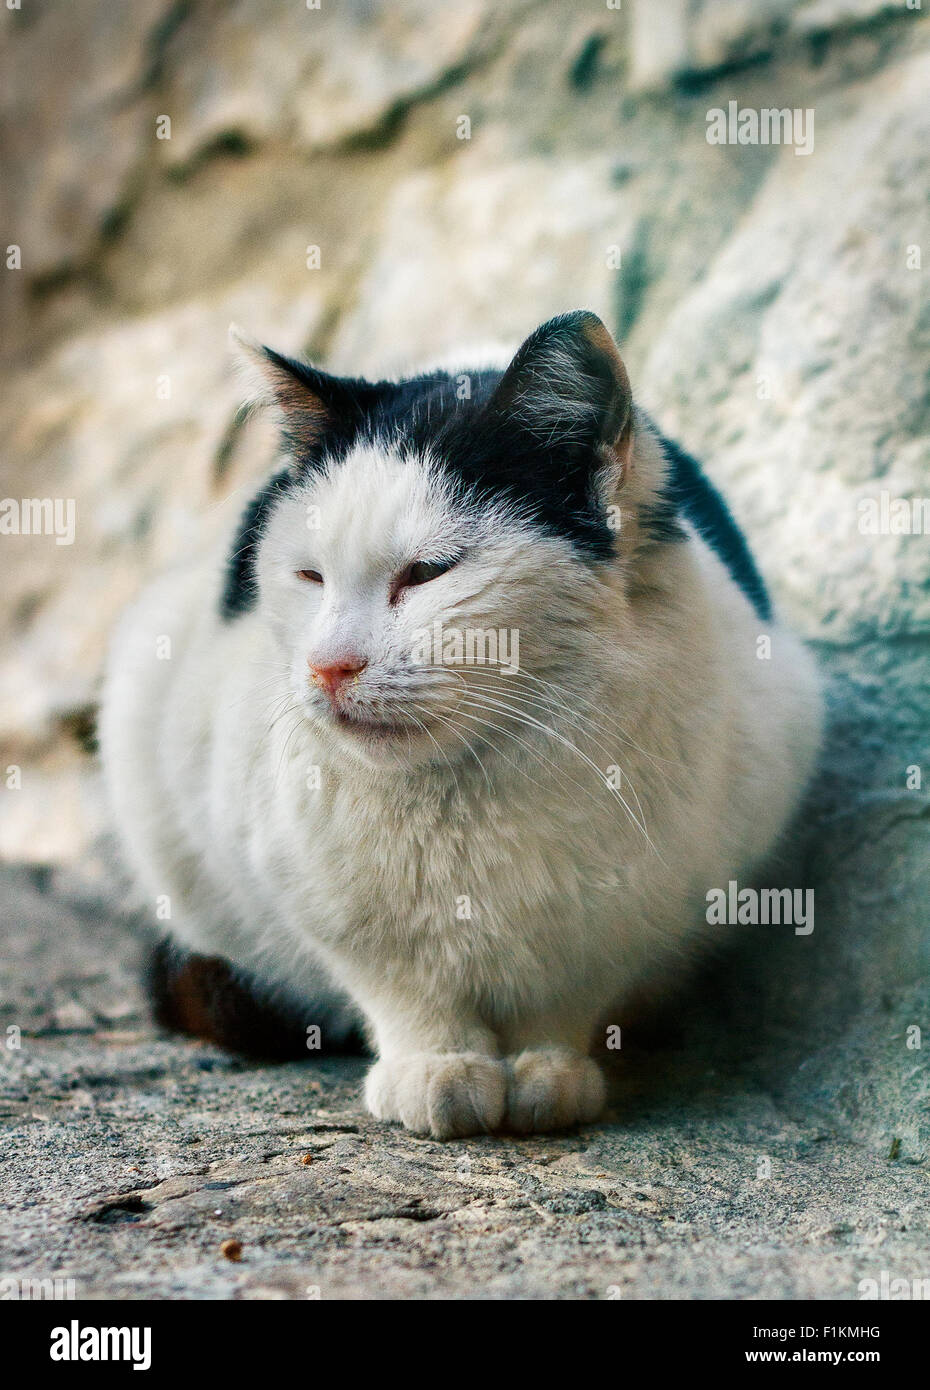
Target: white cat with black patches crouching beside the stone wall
column 355, row 817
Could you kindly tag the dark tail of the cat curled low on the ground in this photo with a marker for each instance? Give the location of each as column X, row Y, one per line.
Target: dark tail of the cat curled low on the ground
column 213, row 1000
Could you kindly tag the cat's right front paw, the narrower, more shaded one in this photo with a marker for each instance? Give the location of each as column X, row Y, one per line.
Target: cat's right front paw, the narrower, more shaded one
column 553, row 1089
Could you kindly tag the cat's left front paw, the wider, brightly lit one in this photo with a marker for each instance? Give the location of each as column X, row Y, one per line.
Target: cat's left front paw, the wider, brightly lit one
column 446, row 1095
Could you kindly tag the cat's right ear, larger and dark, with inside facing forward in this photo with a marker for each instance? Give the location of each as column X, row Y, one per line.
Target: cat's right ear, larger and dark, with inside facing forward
column 569, row 382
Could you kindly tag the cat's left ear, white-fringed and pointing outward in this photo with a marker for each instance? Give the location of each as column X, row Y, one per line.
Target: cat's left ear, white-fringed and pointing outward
column 309, row 404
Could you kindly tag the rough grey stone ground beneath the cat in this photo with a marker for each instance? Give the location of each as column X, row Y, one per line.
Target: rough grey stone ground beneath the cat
column 131, row 1157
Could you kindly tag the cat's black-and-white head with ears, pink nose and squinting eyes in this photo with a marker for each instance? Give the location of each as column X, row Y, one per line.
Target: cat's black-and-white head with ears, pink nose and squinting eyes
column 440, row 557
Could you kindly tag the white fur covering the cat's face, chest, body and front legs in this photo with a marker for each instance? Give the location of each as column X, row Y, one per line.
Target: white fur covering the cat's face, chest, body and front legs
column 579, row 893
